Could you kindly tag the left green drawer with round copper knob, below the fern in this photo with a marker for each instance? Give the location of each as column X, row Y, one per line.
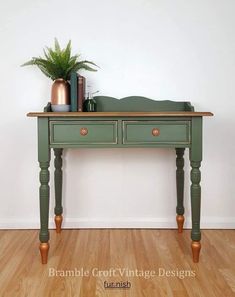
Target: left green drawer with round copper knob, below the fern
column 83, row 132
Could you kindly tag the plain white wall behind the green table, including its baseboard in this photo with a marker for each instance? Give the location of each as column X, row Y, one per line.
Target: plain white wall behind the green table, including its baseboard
column 178, row 50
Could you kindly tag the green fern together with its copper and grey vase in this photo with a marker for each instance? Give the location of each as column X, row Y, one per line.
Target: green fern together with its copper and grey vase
column 57, row 64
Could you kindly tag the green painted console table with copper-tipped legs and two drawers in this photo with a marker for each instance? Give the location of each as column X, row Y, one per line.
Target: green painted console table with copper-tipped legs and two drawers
column 130, row 122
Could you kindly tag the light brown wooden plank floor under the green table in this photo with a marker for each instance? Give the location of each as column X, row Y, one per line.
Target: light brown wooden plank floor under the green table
column 130, row 252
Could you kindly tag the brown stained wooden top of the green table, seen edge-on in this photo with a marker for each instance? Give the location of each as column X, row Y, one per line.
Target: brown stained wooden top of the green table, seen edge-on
column 120, row 114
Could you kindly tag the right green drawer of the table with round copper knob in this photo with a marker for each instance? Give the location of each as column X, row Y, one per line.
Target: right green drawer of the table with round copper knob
column 153, row 132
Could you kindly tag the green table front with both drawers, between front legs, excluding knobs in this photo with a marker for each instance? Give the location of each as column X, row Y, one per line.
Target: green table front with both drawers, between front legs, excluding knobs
column 109, row 133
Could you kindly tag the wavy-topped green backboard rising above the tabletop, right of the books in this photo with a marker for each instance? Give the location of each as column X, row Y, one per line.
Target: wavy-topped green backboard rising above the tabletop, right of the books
column 138, row 103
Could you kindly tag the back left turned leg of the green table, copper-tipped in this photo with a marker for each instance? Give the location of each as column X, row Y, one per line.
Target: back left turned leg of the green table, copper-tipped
column 58, row 177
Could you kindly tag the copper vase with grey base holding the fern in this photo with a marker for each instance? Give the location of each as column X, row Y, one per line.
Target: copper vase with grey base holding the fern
column 60, row 95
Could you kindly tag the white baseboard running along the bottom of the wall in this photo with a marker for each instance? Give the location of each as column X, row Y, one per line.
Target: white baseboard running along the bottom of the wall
column 154, row 223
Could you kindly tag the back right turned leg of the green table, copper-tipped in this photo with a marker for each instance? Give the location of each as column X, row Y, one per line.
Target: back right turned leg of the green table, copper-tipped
column 180, row 188
